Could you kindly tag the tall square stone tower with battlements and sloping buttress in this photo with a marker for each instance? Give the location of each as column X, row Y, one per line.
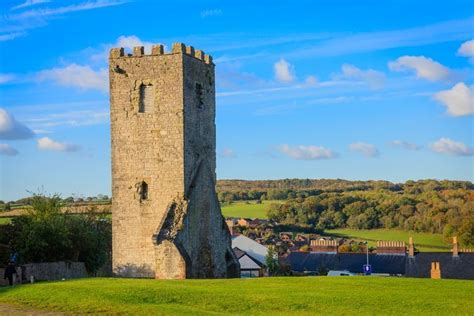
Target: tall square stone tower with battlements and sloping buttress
column 166, row 219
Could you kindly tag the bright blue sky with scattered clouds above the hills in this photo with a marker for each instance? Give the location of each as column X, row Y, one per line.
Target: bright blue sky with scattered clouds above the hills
column 305, row 89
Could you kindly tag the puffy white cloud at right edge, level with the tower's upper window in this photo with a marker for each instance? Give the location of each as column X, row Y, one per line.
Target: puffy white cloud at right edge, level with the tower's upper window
column 459, row 100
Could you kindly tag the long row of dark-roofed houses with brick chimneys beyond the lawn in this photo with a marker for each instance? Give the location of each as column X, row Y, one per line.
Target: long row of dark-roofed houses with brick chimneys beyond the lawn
column 391, row 259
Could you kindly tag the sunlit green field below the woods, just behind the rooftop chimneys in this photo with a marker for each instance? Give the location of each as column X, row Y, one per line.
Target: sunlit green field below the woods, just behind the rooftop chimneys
column 423, row 241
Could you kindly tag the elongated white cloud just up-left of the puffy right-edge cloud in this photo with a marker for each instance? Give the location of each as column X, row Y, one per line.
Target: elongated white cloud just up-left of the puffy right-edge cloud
column 424, row 67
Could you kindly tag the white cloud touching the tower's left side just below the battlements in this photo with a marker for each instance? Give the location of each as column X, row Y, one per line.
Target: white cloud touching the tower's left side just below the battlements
column 74, row 75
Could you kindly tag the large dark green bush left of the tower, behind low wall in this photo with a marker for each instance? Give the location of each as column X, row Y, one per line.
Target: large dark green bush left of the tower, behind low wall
column 47, row 235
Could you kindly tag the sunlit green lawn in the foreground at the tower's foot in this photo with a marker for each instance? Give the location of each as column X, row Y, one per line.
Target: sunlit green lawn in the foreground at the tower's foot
column 265, row 296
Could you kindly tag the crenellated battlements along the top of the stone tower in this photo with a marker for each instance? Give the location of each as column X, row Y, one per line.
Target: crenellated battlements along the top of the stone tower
column 177, row 48
